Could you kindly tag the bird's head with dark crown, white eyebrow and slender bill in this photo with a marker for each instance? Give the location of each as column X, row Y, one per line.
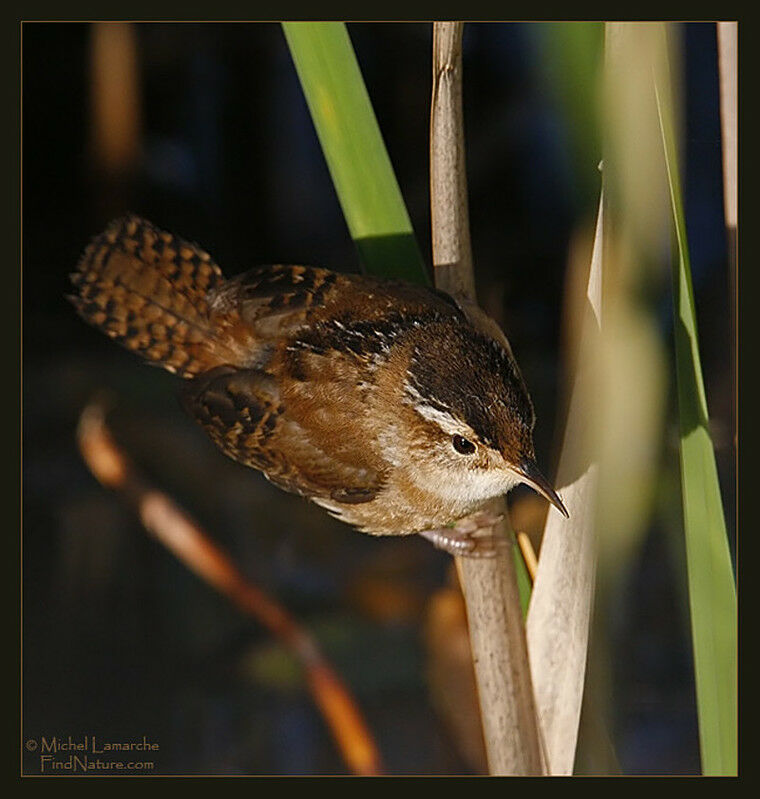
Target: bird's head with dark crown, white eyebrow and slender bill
column 471, row 437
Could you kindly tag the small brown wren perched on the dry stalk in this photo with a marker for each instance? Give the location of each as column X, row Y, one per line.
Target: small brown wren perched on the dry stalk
column 398, row 408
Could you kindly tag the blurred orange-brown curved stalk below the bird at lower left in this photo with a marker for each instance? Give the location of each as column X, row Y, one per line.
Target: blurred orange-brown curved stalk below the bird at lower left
column 185, row 538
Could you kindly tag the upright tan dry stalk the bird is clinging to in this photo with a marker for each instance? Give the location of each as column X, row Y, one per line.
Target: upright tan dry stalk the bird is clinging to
column 497, row 635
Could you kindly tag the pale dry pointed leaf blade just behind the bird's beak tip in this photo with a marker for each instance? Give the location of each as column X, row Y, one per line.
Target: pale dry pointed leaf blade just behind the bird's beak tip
column 559, row 614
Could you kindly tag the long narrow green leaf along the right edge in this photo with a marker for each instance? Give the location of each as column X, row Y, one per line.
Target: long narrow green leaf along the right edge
column 712, row 591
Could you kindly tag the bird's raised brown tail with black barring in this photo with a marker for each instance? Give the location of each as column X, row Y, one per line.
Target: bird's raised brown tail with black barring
column 152, row 292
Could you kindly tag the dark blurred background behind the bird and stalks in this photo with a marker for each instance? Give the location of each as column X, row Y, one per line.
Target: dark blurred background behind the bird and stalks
column 203, row 129
